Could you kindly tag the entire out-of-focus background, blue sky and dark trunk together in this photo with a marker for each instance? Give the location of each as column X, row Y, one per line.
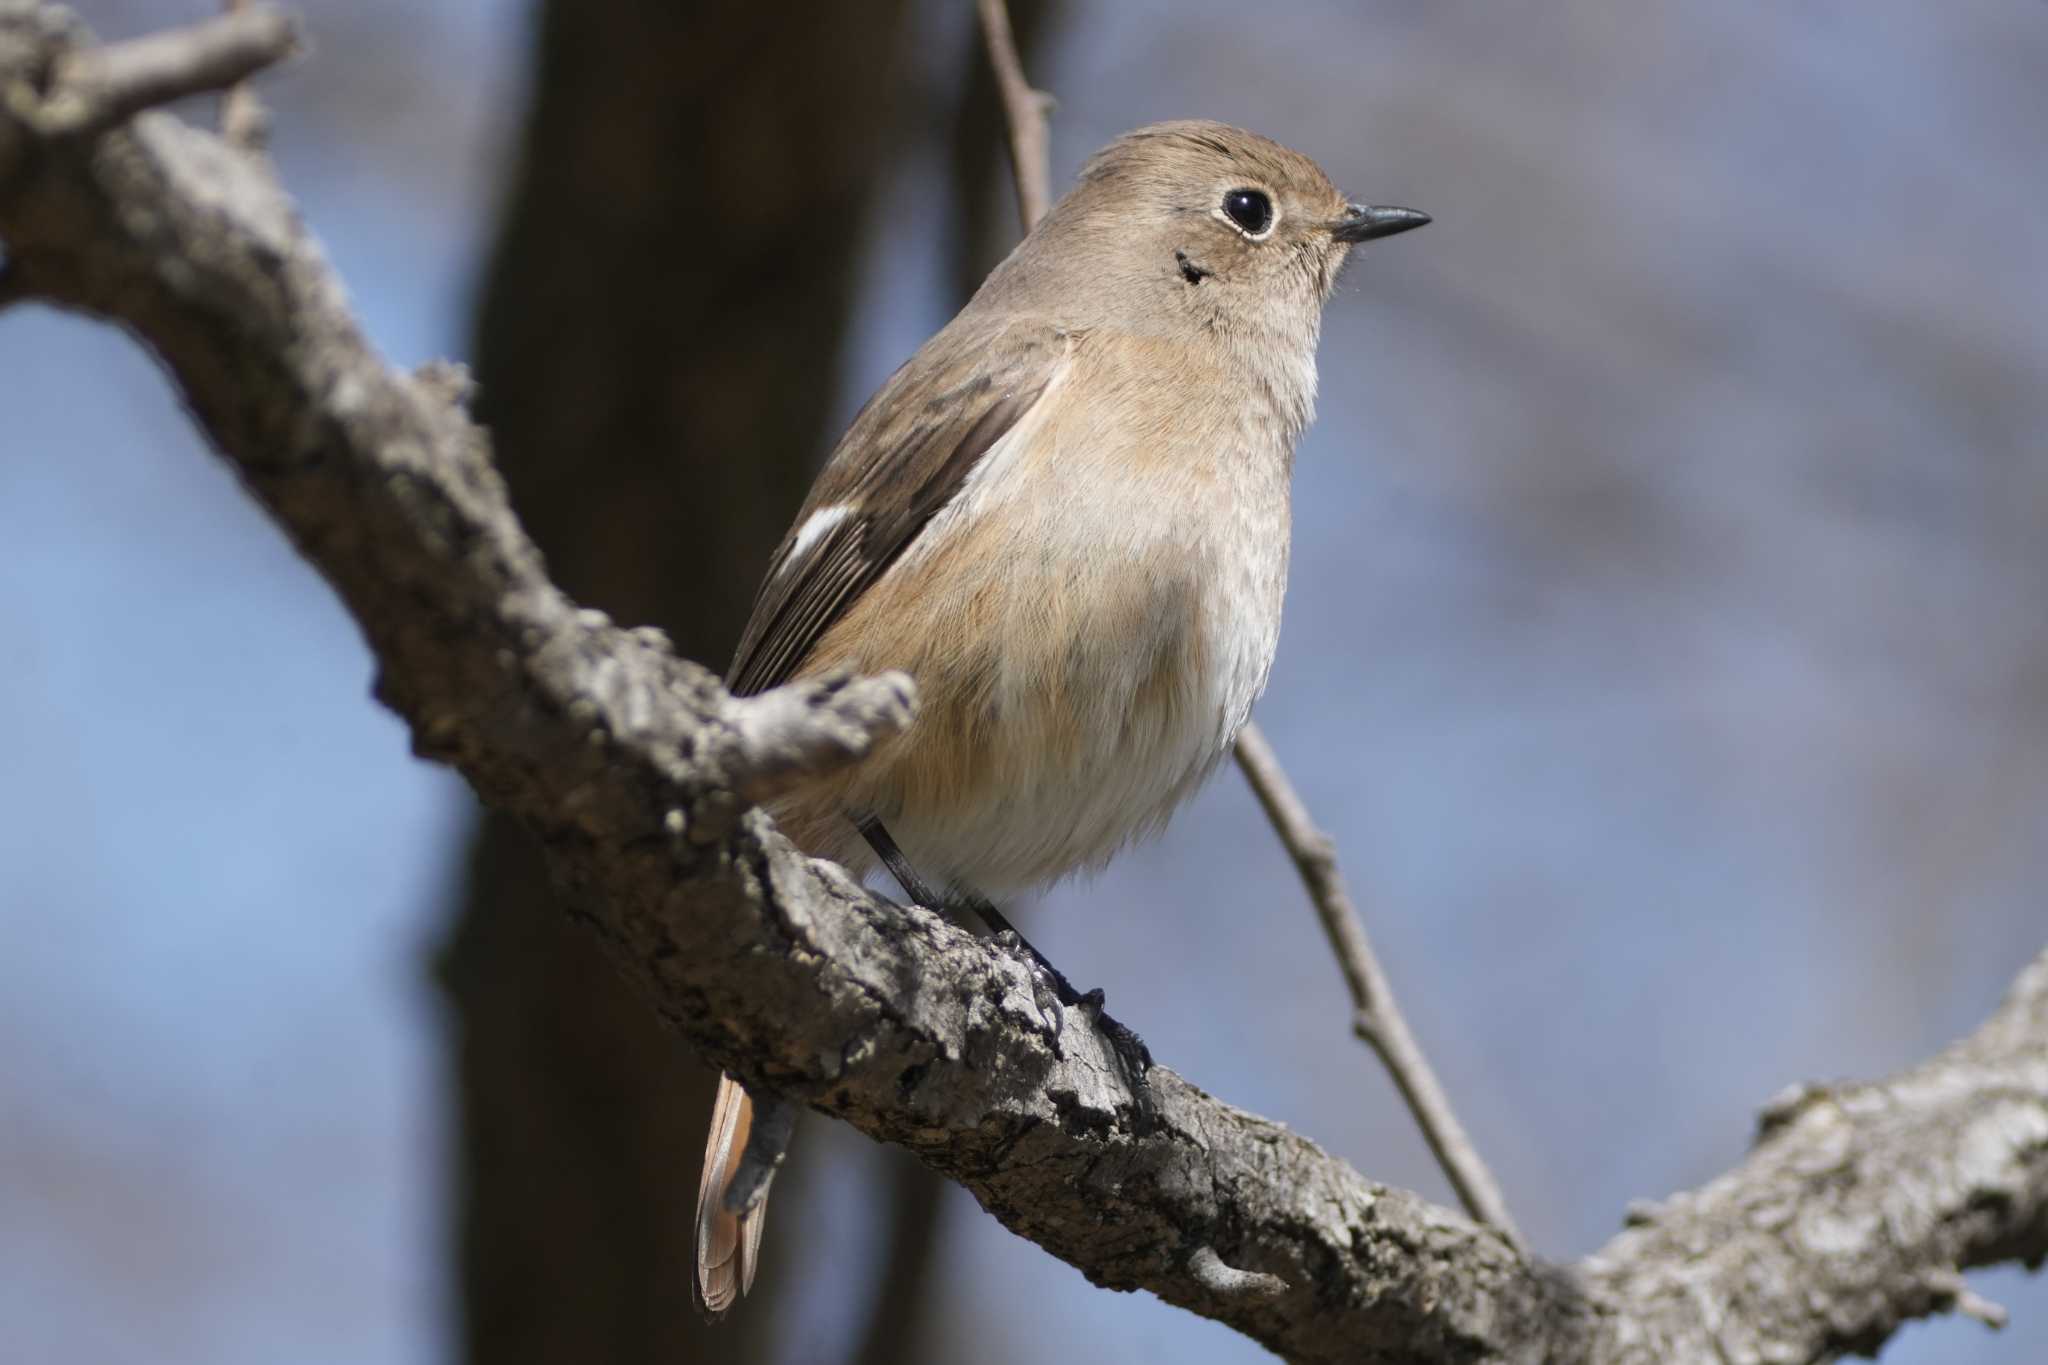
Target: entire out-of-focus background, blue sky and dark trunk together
column 1666, row 650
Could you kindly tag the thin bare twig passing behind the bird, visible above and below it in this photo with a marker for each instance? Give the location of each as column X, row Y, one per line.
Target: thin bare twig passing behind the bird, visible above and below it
column 1377, row 1020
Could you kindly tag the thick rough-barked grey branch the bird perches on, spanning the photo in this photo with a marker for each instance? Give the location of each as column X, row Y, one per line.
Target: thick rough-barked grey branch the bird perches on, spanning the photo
column 630, row 766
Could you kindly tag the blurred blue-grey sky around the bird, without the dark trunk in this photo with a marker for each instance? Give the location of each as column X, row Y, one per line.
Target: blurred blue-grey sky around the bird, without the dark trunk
column 1666, row 650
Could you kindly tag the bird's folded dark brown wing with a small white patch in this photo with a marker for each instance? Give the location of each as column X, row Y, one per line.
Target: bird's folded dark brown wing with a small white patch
column 904, row 457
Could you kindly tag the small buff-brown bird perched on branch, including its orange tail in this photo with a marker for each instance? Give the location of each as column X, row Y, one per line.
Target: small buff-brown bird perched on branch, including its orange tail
column 1068, row 519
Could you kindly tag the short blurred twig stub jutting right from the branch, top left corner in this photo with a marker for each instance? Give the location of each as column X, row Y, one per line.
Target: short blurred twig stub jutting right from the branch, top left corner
column 99, row 87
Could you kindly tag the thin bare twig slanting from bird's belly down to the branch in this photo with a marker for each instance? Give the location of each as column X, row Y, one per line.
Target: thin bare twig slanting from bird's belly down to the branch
column 1377, row 1018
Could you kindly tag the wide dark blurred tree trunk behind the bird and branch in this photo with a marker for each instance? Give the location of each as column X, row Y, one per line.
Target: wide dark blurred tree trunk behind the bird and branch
column 656, row 351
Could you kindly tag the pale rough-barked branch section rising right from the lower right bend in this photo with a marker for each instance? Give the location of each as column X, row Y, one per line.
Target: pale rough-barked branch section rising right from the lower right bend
column 1854, row 1213
